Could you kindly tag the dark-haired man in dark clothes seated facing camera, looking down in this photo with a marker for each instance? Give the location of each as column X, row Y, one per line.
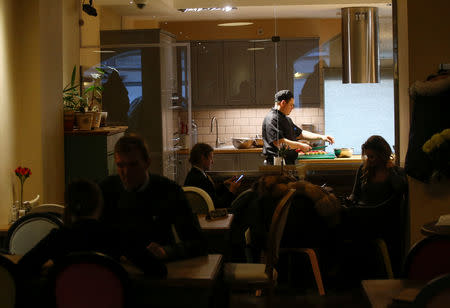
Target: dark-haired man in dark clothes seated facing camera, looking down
column 151, row 209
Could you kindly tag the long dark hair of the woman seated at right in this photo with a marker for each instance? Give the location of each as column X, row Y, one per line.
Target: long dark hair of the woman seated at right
column 382, row 151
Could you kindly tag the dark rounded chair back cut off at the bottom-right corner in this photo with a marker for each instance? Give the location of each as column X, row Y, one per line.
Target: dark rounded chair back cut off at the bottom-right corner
column 435, row 294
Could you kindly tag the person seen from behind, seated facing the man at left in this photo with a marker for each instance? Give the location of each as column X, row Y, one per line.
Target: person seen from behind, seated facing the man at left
column 82, row 231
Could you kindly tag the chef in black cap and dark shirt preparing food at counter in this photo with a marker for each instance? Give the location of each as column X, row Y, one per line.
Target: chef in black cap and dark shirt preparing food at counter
column 278, row 128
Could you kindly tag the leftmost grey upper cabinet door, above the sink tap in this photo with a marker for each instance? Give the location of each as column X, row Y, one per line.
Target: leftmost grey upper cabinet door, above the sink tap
column 207, row 73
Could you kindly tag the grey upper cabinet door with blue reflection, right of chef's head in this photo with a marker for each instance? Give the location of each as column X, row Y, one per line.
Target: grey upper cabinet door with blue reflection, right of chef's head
column 303, row 71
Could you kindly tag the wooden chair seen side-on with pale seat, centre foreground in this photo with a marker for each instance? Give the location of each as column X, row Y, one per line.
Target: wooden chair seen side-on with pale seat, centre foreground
column 262, row 276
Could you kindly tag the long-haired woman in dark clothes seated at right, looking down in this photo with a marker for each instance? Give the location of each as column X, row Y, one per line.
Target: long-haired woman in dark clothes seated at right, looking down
column 377, row 209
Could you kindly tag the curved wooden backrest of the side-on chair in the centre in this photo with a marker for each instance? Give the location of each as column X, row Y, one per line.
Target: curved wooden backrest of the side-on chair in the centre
column 276, row 231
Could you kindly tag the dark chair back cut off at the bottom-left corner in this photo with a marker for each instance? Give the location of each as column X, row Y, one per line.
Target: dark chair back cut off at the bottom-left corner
column 8, row 283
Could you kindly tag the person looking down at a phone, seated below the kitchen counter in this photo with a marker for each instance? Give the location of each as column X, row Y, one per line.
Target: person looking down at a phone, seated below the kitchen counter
column 201, row 159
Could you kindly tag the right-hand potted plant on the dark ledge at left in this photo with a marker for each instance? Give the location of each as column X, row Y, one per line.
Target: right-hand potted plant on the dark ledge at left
column 93, row 96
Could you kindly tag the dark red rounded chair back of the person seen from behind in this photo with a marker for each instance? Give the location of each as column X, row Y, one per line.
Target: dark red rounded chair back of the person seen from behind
column 89, row 280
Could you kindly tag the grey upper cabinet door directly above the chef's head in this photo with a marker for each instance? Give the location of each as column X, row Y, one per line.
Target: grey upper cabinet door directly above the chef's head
column 265, row 81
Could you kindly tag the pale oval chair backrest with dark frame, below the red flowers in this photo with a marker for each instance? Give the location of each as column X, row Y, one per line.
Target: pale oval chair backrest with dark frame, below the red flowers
column 27, row 231
